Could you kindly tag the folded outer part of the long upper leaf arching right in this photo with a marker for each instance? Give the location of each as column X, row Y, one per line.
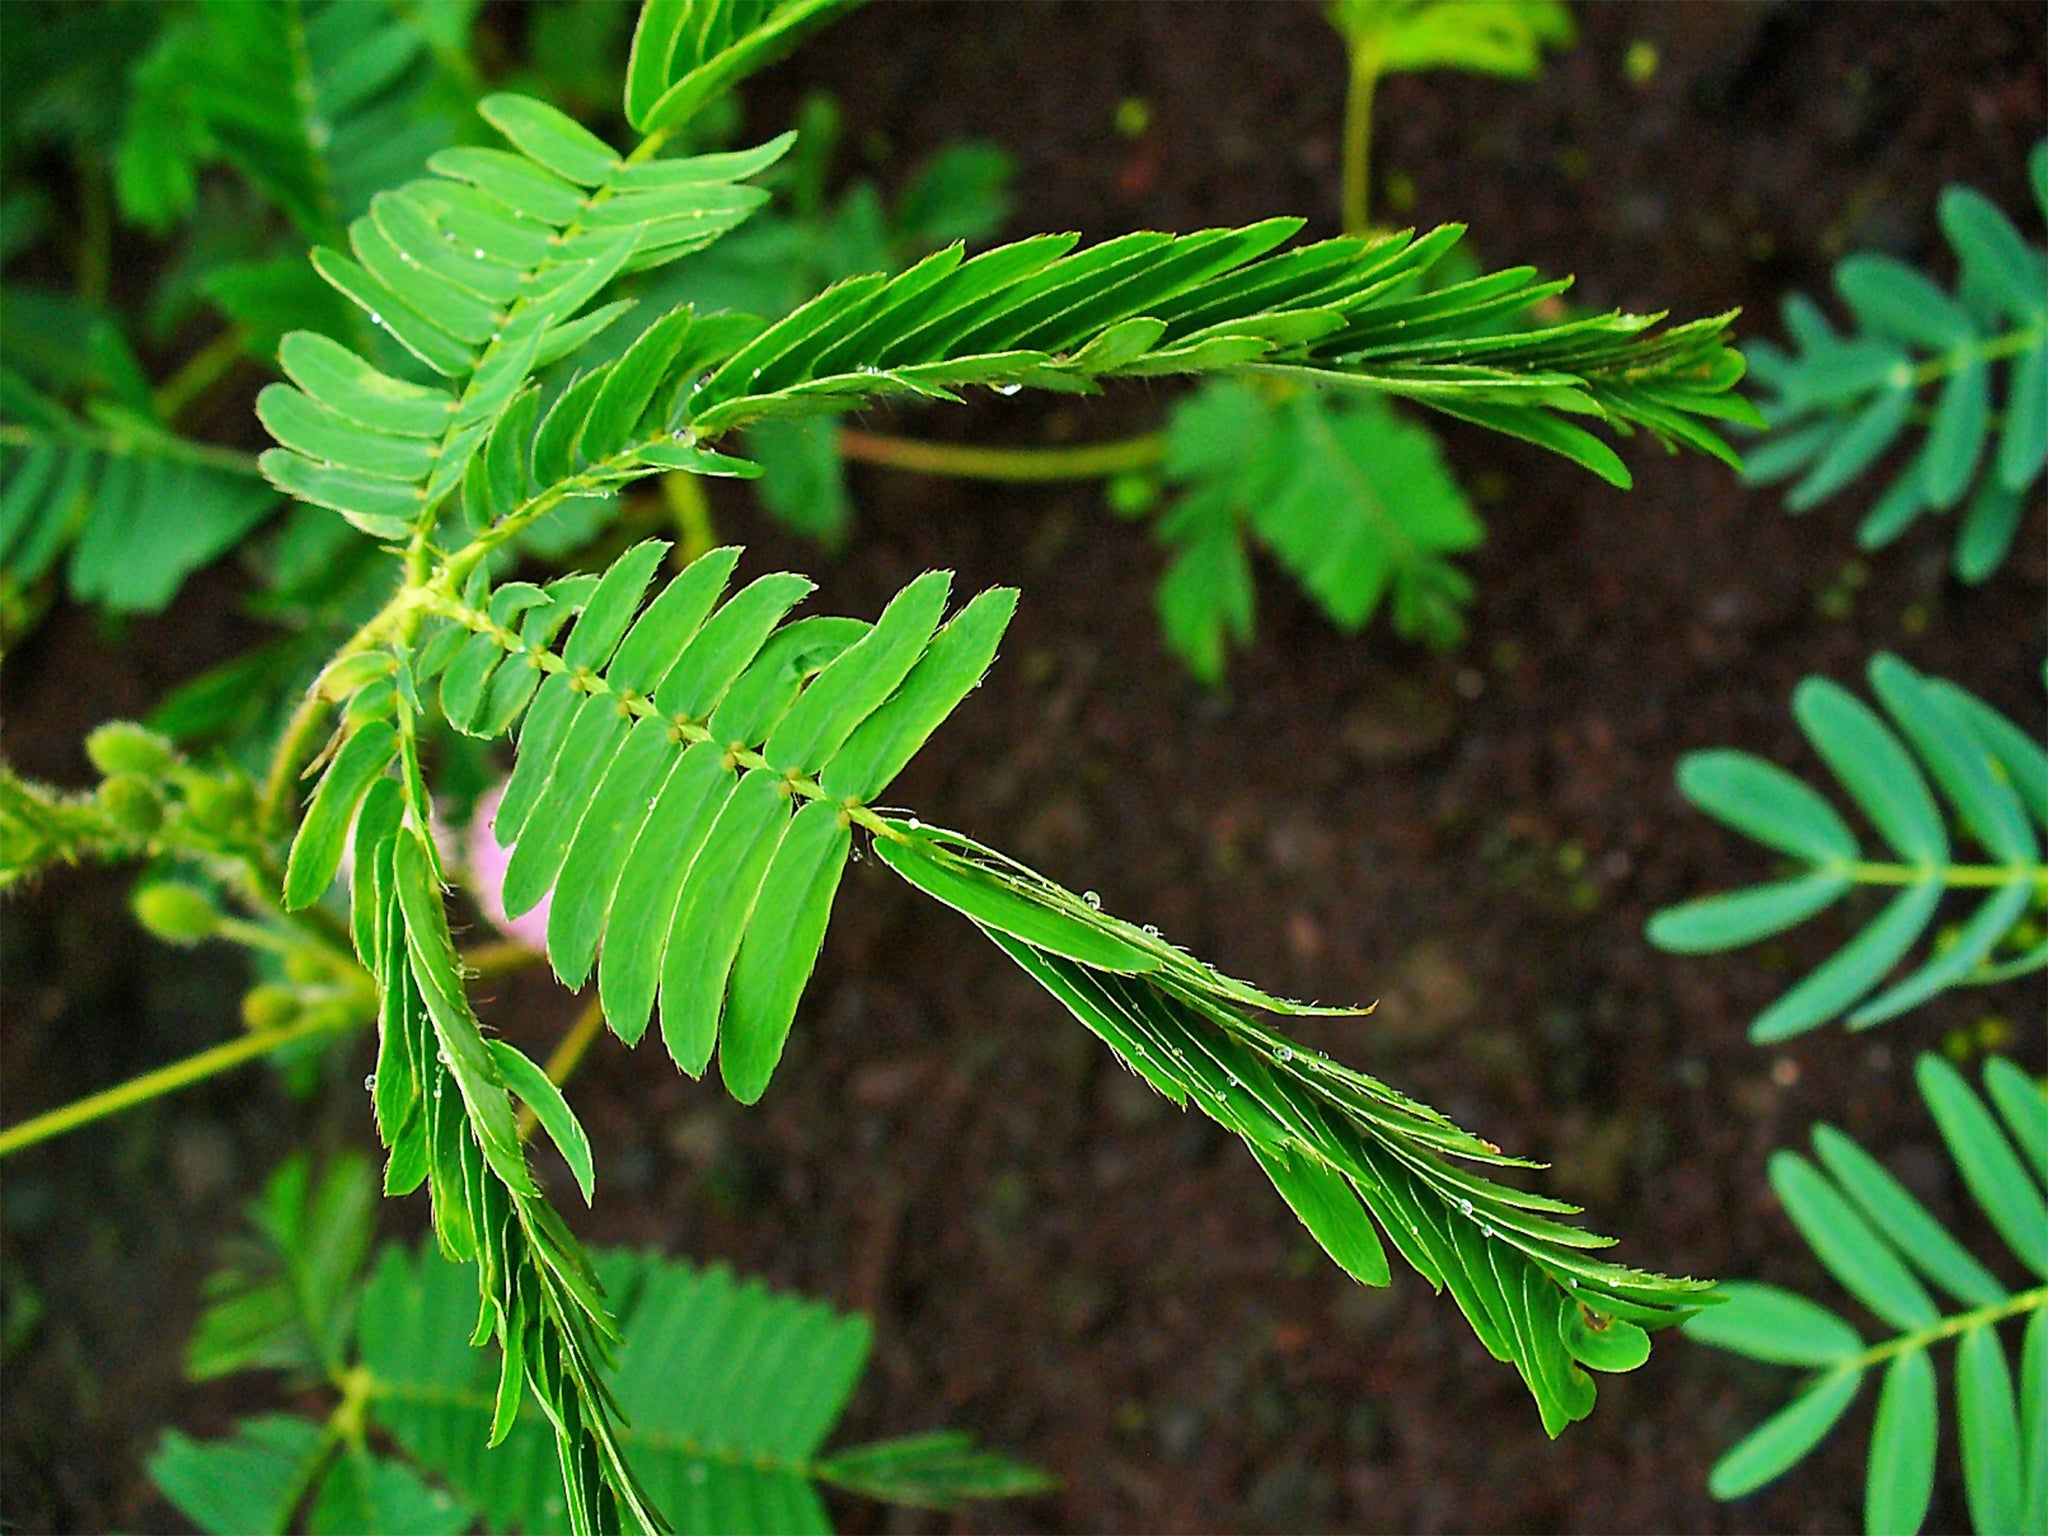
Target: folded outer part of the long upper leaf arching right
column 1342, row 312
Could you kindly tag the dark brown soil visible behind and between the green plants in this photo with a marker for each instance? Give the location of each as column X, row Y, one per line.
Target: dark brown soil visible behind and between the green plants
column 1054, row 1258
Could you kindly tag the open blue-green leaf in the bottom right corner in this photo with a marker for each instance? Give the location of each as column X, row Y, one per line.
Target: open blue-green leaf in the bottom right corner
column 1891, row 1254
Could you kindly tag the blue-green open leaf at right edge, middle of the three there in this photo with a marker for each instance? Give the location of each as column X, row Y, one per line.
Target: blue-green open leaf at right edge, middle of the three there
column 1996, row 783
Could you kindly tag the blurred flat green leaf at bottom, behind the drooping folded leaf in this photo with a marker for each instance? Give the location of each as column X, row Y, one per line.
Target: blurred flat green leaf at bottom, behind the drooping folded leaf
column 730, row 1392
